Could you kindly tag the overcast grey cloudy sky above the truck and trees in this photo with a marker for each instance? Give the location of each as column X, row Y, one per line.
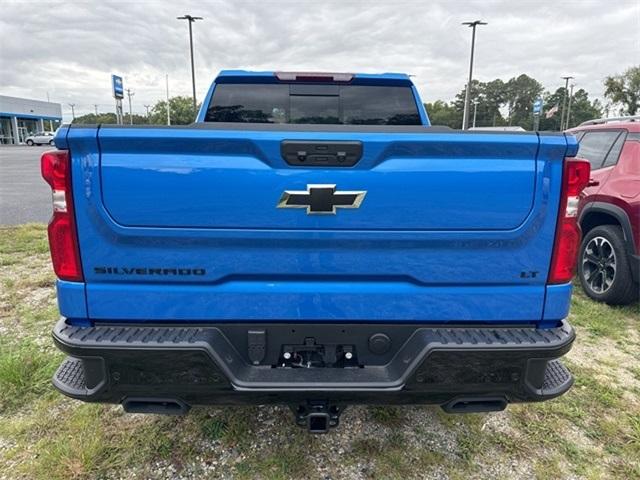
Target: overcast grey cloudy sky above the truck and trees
column 69, row 49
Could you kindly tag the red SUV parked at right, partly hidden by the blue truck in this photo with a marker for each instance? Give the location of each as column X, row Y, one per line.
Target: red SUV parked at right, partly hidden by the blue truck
column 609, row 211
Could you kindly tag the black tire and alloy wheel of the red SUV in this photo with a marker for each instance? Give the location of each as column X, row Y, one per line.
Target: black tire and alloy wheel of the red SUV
column 603, row 267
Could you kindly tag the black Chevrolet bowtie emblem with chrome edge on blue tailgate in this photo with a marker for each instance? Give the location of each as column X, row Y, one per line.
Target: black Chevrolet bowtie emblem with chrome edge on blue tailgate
column 321, row 199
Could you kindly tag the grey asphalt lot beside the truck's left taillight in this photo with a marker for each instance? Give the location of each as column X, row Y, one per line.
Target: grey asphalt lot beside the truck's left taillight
column 24, row 195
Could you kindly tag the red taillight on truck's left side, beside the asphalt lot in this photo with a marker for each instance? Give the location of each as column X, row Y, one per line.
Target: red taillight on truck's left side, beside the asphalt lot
column 63, row 238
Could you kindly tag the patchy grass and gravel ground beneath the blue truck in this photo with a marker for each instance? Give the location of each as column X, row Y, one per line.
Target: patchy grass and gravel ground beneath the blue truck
column 591, row 432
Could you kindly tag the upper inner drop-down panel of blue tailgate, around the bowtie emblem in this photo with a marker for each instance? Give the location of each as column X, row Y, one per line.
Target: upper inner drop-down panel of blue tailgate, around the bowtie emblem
column 233, row 179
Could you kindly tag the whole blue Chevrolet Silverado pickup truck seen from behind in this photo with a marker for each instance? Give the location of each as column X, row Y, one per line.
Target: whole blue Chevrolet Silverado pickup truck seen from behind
column 312, row 241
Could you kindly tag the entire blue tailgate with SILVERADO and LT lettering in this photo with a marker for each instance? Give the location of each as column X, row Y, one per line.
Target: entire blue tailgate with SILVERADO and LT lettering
column 181, row 224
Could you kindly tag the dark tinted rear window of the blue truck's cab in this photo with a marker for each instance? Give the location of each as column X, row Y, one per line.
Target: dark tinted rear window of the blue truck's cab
column 313, row 104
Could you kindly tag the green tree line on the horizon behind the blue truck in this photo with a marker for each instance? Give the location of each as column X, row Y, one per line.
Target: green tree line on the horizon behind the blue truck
column 496, row 103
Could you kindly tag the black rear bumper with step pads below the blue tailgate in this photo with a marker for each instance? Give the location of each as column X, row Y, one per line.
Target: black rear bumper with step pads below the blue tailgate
column 449, row 366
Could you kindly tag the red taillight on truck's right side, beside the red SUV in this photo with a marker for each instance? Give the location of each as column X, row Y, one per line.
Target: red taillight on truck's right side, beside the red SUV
column 575, row 177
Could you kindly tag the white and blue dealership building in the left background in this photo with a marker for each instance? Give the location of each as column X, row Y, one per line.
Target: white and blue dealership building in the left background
column 21, row 117
